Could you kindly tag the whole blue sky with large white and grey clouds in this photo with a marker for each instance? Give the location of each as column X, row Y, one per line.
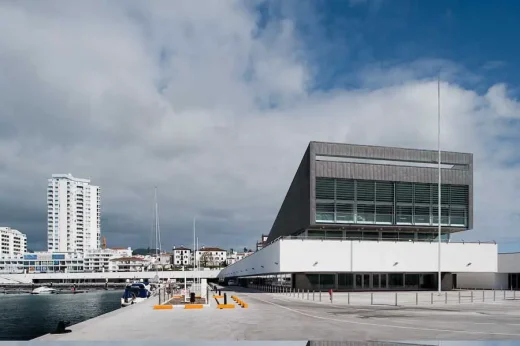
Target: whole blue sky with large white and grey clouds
column 215, row 103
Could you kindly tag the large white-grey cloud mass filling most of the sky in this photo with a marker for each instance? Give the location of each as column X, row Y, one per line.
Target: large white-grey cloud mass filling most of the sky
column 195, row 99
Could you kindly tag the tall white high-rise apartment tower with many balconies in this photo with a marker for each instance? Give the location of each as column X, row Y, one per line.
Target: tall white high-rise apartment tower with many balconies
column 73, row 214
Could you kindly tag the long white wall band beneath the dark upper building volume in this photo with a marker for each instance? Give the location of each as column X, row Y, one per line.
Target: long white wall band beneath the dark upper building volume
column 315, row 255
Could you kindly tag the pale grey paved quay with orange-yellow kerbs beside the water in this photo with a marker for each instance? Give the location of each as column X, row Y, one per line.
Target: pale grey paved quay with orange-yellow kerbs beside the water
column 278, row 316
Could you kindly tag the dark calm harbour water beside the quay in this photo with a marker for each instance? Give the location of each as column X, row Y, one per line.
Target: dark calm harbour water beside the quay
column 25, row 317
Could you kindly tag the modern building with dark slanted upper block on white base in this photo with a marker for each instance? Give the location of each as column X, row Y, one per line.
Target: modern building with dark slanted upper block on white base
column 365, row 217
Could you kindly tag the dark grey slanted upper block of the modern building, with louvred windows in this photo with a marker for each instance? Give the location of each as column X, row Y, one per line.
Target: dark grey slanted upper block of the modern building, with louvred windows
column 343, row 175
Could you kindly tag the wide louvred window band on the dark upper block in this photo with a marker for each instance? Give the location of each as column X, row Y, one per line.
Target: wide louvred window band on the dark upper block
column 392, row 203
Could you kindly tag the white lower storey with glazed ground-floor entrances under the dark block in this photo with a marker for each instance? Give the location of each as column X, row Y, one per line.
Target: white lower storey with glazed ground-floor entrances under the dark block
column 370, row 263
